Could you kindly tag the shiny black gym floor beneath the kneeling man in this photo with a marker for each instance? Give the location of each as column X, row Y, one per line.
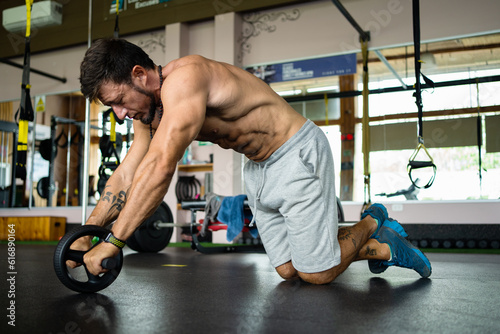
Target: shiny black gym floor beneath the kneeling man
column 182, row 291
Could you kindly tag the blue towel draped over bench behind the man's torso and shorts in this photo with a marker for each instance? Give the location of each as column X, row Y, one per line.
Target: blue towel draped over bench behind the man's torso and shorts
column 232, row 214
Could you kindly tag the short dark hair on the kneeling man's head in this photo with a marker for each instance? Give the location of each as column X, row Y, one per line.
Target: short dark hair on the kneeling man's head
column 110, row 60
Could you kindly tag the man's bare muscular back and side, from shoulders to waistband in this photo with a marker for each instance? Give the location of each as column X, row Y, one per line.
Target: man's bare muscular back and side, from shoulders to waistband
column 242, row 112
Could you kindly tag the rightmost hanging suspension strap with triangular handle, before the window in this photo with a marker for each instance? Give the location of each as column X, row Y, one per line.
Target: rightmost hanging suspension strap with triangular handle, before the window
column 415, row 164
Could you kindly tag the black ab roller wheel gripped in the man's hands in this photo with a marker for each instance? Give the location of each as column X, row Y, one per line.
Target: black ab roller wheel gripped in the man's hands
column 88, row 283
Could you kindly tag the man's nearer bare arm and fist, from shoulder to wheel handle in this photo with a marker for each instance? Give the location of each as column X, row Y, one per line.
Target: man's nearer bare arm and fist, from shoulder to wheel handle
column 184, row 96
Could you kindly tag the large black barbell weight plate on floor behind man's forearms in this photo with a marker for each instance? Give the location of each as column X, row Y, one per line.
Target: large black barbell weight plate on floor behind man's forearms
column 148, row 238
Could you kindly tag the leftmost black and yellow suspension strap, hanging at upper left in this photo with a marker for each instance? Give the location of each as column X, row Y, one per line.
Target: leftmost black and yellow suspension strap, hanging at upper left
column 26, row 114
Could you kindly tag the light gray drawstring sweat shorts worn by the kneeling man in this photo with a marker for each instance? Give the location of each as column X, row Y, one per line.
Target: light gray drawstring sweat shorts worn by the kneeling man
column 292, row 197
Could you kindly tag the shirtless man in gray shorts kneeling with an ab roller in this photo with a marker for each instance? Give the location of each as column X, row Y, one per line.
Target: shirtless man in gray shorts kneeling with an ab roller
column 289, row 176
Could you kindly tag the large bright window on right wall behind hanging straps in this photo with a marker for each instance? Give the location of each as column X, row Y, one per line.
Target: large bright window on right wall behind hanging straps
column 450, row 136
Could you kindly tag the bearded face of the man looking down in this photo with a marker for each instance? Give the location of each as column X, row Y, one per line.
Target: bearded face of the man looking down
column 129, row 100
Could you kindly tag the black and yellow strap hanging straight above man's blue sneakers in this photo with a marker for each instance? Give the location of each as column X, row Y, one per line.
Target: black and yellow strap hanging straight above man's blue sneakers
column 366, row 127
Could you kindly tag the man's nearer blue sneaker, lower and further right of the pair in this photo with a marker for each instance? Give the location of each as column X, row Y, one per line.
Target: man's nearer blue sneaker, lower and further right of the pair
column 404, row 254
